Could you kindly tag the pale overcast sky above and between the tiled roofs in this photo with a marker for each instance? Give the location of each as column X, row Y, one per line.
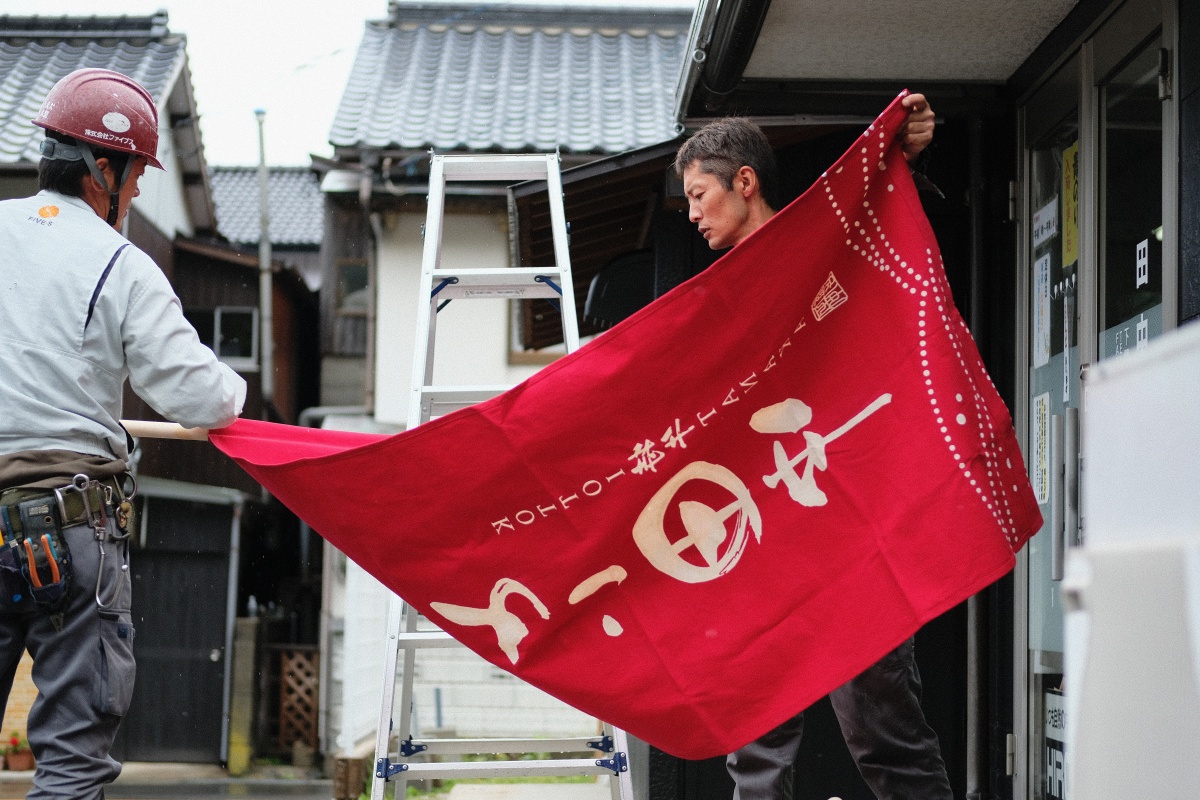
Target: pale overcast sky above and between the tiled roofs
column 287, row 57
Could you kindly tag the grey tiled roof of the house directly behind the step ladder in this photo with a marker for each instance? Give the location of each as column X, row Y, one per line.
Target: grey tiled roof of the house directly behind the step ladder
column 602, row 83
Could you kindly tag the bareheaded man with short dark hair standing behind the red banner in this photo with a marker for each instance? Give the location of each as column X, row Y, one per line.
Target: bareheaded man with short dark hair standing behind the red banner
column 731, row 183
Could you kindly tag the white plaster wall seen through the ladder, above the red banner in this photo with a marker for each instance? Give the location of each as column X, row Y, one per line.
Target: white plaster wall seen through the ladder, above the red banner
column 472, row 335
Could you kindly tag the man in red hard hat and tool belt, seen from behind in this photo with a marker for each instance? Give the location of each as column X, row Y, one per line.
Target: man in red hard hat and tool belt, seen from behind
column 83, row 310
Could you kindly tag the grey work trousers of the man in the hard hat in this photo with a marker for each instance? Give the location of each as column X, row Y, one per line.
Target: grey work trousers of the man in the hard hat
column 83, row 669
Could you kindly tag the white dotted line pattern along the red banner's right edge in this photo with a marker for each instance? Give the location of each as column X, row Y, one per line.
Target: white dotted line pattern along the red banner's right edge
column 927, row 284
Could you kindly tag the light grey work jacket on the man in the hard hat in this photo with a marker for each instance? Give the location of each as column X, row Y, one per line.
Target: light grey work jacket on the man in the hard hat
column 67, row 348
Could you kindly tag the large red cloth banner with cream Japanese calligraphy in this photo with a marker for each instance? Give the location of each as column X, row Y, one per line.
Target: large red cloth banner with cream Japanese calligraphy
column 722, row 509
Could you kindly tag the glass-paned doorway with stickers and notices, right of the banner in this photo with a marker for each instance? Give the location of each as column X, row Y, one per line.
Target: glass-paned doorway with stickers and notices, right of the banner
column 1100, row 280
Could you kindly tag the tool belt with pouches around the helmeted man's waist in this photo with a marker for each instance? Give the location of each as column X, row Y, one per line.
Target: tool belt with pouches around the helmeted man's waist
column 35, row 560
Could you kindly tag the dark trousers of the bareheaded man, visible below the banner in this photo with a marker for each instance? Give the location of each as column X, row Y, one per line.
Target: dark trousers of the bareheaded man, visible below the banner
column 880, row 714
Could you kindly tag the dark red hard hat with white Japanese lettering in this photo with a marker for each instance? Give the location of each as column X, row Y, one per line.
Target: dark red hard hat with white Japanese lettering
column 105, row 110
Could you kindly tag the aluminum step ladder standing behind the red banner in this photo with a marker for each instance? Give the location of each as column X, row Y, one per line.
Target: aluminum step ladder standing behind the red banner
column 407, row 633
